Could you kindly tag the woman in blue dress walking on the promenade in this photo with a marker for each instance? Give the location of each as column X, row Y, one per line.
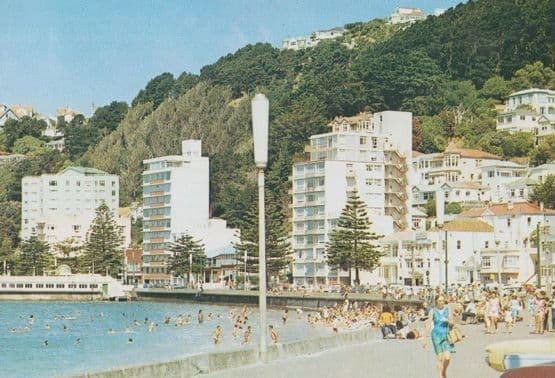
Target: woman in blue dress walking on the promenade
column 439, row 325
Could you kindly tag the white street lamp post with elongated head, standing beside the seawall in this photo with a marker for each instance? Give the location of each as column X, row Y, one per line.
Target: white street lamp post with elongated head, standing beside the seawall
column 260, row 119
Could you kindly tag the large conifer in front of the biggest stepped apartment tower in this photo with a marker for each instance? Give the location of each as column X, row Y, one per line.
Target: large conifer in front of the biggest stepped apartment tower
column 351, row 243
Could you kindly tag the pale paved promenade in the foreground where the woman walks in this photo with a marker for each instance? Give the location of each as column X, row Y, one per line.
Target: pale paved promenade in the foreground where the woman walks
column 389, row 358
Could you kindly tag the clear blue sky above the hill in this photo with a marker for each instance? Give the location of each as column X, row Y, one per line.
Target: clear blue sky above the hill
column 76, row 53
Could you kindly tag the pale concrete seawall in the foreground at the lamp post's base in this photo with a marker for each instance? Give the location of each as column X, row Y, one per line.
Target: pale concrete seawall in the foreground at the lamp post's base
column 211, row 362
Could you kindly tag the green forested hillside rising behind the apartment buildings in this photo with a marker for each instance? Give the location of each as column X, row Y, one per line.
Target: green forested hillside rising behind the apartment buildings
column 448, row 70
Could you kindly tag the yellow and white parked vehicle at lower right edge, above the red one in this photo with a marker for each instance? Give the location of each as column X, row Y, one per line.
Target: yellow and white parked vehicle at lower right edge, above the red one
column 516, row 353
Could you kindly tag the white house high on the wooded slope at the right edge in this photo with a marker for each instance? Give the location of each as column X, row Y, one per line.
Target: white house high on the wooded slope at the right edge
column 524, row 108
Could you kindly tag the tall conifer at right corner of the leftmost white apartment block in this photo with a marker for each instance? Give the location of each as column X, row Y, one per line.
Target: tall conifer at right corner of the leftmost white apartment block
column 103, row 248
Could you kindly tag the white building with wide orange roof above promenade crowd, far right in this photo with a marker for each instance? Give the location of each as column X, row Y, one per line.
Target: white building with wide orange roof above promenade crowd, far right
column 510, row 257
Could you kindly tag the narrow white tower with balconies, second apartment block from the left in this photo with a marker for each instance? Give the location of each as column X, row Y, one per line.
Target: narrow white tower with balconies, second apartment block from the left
column 175, row 202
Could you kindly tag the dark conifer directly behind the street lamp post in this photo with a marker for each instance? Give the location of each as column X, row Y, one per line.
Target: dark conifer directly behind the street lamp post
column 278, row 248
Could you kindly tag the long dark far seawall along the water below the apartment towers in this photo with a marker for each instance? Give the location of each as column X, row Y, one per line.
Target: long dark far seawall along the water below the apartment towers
column 289, row 299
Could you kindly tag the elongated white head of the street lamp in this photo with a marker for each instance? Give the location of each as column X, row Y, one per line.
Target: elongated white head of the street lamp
column 260, row 119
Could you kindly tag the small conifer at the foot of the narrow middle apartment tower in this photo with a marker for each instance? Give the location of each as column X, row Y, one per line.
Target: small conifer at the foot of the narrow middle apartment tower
column 188, row 255
